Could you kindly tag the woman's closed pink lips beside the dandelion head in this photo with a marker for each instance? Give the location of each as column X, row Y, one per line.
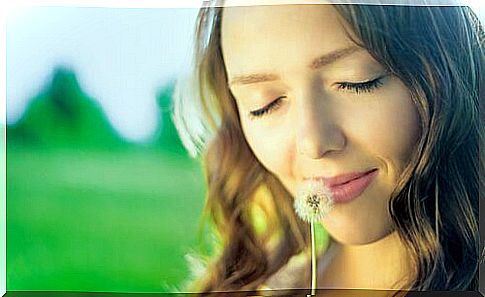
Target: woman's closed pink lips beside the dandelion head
column 347, row 187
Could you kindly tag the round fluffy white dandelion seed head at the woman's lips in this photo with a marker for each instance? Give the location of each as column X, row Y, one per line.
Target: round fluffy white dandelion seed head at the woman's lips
column 313, row 201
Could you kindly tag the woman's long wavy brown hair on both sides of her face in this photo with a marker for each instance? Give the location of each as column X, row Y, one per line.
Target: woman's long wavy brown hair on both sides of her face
column 438, row 54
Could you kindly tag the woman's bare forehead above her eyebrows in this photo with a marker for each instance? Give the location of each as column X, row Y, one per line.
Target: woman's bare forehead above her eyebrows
column 270, row 38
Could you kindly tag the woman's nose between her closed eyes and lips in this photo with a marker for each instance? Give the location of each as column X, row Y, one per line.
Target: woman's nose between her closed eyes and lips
column 317, row 130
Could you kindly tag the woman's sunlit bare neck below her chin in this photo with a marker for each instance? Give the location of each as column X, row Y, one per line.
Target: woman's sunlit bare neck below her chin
column 383, row 264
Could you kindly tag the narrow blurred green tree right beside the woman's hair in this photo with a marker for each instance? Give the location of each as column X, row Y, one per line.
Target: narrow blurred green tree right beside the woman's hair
column 166, row 137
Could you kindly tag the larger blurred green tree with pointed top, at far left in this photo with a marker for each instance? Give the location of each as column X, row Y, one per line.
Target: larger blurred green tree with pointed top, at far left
column 64, row 116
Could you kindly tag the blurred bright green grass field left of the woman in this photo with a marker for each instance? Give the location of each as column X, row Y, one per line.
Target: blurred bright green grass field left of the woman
column 87, row 220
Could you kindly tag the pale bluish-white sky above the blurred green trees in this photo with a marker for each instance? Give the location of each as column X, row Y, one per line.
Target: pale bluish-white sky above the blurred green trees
column 121, row 56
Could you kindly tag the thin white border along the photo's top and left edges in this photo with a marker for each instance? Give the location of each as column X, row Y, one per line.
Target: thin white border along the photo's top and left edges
column 10, row 7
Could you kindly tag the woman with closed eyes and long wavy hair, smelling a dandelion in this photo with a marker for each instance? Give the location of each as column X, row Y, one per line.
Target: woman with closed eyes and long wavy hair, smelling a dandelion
column 379, row 102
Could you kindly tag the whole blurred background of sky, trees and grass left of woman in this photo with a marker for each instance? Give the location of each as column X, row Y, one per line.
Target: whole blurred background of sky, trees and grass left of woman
column 101, row 194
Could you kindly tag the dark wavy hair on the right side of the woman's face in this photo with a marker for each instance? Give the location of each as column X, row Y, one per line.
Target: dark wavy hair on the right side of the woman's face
column 438, row 53
